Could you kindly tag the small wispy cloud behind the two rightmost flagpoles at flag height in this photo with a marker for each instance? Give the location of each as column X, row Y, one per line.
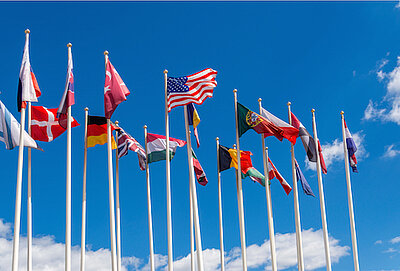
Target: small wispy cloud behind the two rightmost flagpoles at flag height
column 333, row 152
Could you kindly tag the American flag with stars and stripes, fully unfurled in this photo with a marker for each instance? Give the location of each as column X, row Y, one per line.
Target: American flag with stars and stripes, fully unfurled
column 195, row 88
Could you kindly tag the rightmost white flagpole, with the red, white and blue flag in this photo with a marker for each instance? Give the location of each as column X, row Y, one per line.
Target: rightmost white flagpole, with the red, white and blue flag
column 350, row 199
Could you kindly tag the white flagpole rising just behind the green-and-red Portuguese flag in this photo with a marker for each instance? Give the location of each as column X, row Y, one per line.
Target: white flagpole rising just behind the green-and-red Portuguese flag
column 269, row 202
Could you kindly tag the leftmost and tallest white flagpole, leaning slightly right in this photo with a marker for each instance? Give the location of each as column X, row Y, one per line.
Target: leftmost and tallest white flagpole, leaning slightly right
column 17, row 215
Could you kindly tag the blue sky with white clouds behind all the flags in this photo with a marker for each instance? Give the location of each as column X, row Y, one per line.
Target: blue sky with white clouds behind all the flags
column 330, row 56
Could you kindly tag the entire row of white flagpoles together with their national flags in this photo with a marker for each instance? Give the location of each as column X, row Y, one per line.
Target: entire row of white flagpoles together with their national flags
column 179, row 91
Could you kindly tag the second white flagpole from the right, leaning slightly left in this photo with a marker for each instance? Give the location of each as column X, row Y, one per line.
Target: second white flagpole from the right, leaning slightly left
column 322, row 198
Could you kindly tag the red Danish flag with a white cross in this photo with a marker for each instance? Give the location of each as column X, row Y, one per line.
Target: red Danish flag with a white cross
column 45, row 125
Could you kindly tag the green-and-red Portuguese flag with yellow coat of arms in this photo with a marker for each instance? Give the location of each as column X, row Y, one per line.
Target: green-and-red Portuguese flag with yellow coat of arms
column 248, row 119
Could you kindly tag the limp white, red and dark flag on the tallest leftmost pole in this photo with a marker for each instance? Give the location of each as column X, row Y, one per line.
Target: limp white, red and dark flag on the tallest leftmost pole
column 28, row 88
